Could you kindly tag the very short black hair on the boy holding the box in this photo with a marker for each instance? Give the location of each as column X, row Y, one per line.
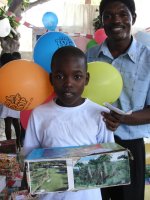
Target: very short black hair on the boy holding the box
column 67, row 51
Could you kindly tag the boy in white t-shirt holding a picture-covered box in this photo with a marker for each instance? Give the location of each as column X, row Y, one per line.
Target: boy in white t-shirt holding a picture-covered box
column 69, row 120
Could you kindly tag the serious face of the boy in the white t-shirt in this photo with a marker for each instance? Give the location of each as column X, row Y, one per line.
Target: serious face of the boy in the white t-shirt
column 68, row 79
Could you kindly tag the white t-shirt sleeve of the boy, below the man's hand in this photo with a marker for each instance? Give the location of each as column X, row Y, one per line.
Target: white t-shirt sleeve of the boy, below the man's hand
column 104, row 135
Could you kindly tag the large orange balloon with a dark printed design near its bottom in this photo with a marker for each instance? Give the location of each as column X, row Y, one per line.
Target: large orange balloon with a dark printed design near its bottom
column 23, row 85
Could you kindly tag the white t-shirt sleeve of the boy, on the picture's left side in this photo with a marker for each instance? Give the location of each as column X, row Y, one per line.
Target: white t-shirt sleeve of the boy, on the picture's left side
column 31, row 140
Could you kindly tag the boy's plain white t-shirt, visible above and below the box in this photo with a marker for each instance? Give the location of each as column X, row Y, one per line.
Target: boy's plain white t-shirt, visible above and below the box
column 51, row 125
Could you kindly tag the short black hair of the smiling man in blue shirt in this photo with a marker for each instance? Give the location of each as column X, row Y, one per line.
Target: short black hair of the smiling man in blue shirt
column 129, row 3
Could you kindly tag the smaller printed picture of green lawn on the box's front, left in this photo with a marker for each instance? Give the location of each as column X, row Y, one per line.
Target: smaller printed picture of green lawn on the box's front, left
column 48, row 176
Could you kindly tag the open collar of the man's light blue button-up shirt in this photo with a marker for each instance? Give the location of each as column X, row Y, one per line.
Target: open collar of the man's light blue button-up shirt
column 131, row 52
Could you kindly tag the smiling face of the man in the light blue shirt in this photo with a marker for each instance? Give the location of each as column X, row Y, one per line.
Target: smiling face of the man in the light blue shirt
column 117, row 21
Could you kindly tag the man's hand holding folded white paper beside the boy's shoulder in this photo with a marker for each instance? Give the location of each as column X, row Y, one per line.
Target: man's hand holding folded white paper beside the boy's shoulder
column 112, row 120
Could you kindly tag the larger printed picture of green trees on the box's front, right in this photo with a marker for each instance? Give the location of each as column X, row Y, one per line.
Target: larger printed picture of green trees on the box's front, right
column 102, row 170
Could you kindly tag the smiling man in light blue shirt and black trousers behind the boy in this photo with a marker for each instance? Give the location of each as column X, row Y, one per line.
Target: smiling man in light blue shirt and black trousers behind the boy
column 133, row 61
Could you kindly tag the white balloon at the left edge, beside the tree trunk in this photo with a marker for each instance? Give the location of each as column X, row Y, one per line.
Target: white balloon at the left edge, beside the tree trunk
column 5, row 27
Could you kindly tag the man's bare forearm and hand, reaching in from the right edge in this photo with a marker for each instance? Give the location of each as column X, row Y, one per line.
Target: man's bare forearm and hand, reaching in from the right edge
column 113, row 120
